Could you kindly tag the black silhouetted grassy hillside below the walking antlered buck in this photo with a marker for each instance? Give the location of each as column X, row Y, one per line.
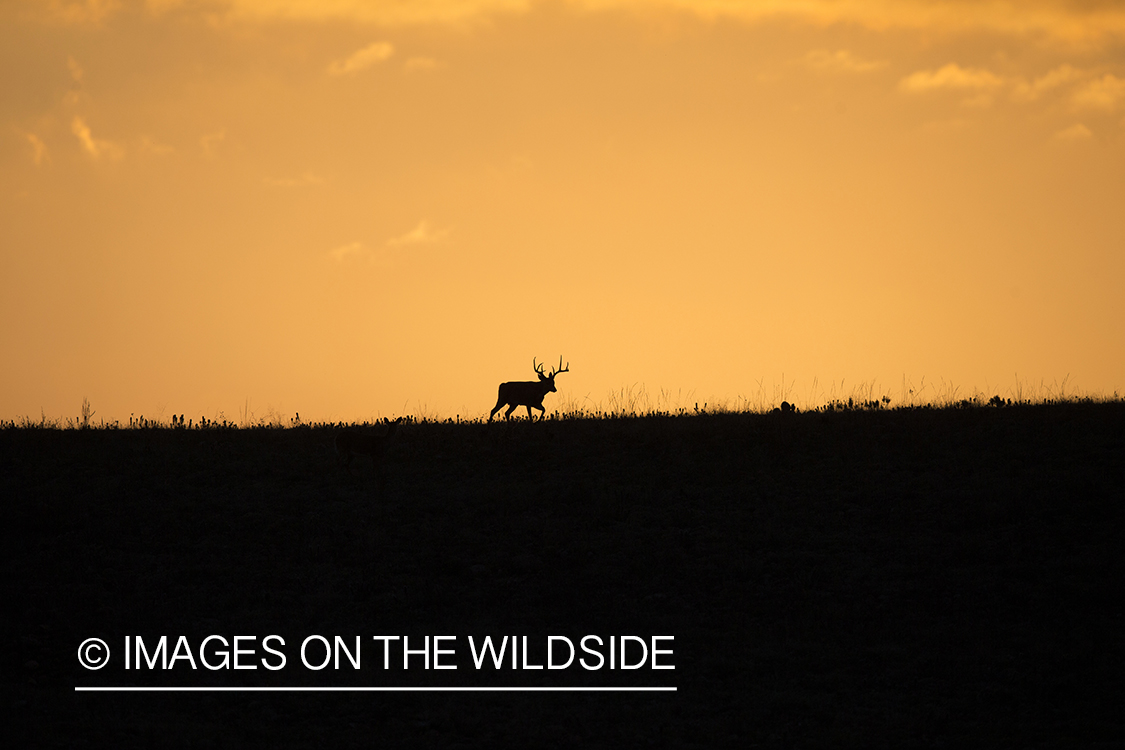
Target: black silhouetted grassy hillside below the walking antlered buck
column 908, row 579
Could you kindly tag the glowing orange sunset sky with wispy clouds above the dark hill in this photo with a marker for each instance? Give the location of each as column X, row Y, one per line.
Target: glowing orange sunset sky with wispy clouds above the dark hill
column 366, row 209
